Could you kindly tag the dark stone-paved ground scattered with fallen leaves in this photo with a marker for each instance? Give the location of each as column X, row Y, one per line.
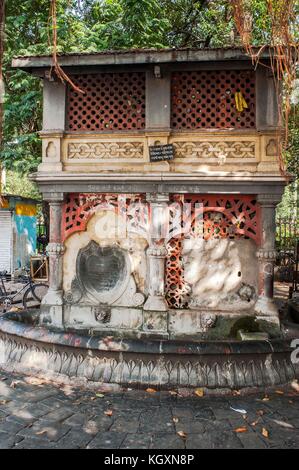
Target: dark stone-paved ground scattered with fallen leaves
column 37, row 414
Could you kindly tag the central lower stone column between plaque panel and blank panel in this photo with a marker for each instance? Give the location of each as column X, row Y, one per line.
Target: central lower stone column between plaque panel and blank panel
column 157, row 252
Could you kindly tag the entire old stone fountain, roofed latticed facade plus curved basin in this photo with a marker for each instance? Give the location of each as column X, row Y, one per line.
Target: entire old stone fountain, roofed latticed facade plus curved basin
column 162, row 194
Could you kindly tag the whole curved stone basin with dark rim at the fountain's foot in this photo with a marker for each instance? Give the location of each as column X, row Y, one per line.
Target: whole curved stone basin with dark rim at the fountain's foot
column 164, row 364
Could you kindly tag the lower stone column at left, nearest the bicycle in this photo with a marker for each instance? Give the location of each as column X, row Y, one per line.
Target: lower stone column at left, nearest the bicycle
column 52, row 304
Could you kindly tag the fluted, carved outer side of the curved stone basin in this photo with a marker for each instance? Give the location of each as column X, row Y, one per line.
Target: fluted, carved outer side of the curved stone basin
column 168, row 370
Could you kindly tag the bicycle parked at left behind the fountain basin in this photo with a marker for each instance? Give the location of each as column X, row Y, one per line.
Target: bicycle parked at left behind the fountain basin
column 33, row 292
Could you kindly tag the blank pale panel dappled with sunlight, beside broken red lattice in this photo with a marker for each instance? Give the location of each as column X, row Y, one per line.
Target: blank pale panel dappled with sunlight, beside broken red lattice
column 217, row 269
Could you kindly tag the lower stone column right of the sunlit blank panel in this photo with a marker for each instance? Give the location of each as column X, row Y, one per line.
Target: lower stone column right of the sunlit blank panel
column 265, row 306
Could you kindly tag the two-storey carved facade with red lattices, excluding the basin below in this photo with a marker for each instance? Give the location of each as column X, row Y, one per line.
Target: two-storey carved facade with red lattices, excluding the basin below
column 191, row 228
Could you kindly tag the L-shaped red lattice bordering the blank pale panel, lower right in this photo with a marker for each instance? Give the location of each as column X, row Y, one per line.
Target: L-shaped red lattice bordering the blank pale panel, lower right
column 219, row 217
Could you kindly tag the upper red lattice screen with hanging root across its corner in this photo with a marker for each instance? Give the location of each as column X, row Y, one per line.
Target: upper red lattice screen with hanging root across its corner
column 112, row 101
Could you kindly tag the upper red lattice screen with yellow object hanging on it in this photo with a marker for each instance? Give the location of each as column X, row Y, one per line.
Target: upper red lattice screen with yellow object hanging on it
column 207, row 99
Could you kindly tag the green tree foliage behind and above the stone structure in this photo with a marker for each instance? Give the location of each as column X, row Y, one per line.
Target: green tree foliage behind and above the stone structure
column 95, row 25
